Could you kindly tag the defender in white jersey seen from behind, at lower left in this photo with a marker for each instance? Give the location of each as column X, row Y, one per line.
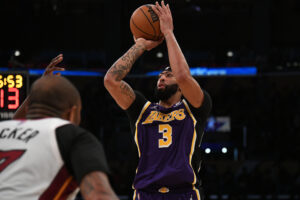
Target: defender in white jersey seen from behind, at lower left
column 47, row 156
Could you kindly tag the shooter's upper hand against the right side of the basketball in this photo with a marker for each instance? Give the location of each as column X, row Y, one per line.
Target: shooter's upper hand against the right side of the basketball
column 165, row 17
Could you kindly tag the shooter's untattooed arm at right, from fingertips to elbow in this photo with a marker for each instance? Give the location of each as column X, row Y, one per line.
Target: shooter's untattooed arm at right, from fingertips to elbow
column 191, row 90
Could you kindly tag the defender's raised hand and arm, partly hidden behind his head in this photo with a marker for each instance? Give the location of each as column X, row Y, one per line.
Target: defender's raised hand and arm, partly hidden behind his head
column 22, row 110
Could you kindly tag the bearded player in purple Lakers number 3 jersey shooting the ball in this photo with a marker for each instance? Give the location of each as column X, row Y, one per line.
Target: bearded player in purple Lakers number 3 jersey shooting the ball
column 168, row 133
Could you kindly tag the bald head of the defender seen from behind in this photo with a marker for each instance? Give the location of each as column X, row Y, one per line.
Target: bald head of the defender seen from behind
column 53, row 93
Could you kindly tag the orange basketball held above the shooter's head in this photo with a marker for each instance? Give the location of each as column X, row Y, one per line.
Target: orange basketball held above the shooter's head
column 144, row 23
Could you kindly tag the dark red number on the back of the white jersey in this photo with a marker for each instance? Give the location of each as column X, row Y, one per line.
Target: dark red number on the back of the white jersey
column 8, row 157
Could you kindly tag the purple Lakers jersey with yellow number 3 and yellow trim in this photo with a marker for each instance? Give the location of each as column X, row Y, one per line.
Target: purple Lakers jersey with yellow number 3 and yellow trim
column 165, row 138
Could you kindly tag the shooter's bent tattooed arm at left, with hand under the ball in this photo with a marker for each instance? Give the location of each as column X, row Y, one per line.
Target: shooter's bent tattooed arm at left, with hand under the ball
column 113, row 80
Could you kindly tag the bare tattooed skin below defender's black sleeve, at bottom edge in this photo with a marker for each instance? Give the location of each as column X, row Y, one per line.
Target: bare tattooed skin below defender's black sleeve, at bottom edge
column 95, row 186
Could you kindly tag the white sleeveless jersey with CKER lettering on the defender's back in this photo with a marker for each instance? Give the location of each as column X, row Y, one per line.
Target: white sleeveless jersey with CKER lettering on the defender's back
column 31, row 166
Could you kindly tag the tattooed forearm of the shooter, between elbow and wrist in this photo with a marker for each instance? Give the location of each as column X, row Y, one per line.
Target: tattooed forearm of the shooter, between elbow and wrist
column 120, row 69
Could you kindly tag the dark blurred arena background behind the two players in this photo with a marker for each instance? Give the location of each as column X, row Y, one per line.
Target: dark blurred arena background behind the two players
column 252, row 143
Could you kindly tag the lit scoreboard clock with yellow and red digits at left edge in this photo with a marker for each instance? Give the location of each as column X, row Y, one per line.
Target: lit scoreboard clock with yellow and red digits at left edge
column 13, row 91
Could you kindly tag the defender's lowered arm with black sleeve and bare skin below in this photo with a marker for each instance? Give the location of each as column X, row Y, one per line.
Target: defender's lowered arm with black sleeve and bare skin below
column 84, row 158
